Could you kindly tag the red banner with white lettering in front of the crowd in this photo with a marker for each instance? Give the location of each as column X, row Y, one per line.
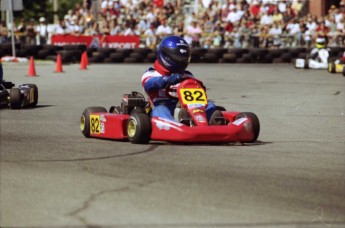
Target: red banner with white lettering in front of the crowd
column 97, row 41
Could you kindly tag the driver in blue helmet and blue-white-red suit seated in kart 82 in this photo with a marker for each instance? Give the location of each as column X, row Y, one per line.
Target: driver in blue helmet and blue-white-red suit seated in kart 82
column 169, row 69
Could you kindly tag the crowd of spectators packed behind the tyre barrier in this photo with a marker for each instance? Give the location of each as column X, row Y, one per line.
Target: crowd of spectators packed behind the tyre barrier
column 213, row 23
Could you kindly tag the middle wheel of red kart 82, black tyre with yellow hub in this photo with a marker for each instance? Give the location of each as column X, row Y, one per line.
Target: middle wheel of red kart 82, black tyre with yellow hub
column 139, row 128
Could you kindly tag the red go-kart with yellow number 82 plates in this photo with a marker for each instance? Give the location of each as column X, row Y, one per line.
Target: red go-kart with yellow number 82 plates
column 132, row 120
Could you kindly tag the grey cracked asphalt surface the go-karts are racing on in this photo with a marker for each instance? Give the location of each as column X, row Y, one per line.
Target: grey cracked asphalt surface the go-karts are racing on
column 292, row 177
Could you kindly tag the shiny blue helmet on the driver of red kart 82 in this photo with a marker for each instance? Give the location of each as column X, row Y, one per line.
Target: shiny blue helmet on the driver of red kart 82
column 174, row 54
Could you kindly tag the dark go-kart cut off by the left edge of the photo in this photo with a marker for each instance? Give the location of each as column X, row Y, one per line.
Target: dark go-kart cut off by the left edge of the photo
column 26, row 95
